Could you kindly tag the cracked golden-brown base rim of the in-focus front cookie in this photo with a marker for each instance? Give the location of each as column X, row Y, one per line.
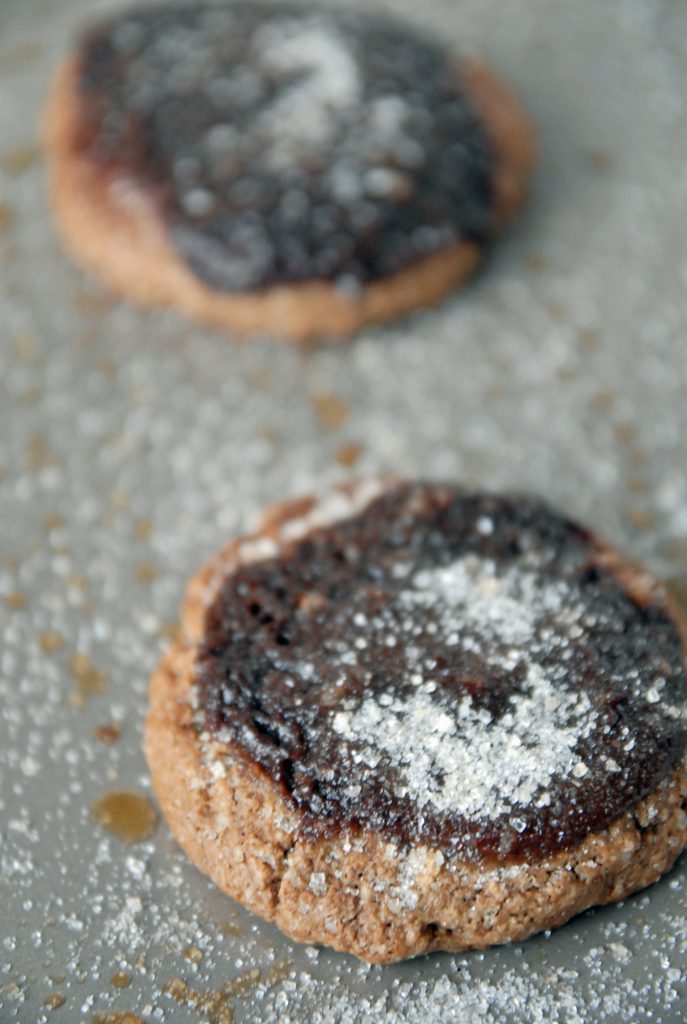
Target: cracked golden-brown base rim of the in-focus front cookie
column 366, row 895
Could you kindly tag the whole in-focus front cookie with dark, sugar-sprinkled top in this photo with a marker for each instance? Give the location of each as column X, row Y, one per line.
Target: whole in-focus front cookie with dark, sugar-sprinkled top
column 410, row 717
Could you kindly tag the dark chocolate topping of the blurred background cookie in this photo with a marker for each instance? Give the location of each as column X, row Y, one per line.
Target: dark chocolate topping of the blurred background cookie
column 284, row 145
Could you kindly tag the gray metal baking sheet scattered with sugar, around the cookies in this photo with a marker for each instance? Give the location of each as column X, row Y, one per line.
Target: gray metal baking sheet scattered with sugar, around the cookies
column 133, row 445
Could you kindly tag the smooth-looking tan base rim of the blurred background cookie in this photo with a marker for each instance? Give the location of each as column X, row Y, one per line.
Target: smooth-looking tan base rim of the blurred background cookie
column 115, row 232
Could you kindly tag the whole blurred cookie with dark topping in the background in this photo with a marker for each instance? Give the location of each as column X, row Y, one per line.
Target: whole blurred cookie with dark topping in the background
column 278, row 169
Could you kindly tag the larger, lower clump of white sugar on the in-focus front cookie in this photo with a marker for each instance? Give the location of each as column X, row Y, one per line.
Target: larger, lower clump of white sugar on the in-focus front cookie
column 465, row 762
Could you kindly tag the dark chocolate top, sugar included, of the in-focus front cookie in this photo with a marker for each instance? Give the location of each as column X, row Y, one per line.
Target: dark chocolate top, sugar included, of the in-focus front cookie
column 447, row 667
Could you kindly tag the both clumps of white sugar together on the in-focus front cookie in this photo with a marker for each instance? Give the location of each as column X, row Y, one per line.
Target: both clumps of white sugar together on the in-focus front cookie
column 459, row 758
